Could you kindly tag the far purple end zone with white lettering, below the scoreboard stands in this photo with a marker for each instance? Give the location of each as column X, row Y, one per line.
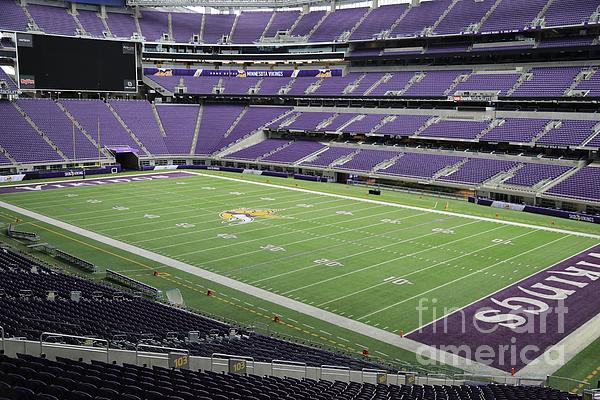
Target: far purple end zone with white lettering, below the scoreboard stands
column 90, row 182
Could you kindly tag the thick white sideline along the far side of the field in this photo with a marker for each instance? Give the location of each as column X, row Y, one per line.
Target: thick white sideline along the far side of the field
column 339, row 196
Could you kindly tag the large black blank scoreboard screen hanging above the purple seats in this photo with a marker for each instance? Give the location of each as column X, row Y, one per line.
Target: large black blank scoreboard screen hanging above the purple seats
column 59, row 63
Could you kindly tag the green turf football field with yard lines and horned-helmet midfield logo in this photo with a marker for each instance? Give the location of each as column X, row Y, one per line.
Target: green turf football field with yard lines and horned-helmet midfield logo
column 369, row 262
